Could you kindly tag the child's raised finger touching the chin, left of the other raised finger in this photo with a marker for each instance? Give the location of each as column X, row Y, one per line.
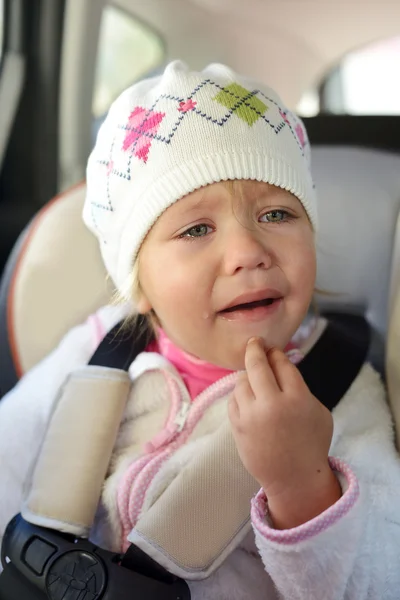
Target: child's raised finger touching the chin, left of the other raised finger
column 261, row 377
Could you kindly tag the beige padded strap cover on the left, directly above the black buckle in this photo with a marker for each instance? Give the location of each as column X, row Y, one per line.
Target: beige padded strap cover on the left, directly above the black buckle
column 66, row 482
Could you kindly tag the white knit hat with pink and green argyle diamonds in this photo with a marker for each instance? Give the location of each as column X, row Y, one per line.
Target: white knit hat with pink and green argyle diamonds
column 170, row 135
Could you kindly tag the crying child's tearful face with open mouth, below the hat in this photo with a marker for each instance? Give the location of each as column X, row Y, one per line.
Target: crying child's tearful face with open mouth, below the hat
column 214, row 249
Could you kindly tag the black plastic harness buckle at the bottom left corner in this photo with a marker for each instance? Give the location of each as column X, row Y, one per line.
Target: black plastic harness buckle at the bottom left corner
column 41, row 564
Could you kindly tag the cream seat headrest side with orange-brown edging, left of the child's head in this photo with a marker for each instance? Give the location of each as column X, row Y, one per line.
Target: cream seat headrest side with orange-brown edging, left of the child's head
column 54, row 279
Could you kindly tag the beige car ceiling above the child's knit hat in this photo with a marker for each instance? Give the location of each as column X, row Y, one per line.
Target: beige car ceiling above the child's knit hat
column 289, row 44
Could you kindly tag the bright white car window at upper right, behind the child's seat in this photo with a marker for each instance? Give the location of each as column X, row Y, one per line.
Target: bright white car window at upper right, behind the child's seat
column 364, row 83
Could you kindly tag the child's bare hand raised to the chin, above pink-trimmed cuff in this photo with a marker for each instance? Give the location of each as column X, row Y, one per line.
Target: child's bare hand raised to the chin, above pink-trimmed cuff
column 283, row 434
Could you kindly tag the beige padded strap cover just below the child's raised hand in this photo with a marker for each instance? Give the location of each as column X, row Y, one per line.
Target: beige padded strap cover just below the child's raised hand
column 203, row 514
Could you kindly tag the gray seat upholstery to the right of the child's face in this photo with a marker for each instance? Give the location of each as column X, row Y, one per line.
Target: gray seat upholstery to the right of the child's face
column 359, row 199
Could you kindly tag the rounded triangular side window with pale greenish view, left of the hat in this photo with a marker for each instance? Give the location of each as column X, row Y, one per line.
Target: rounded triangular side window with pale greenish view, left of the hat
column 128, row 50
